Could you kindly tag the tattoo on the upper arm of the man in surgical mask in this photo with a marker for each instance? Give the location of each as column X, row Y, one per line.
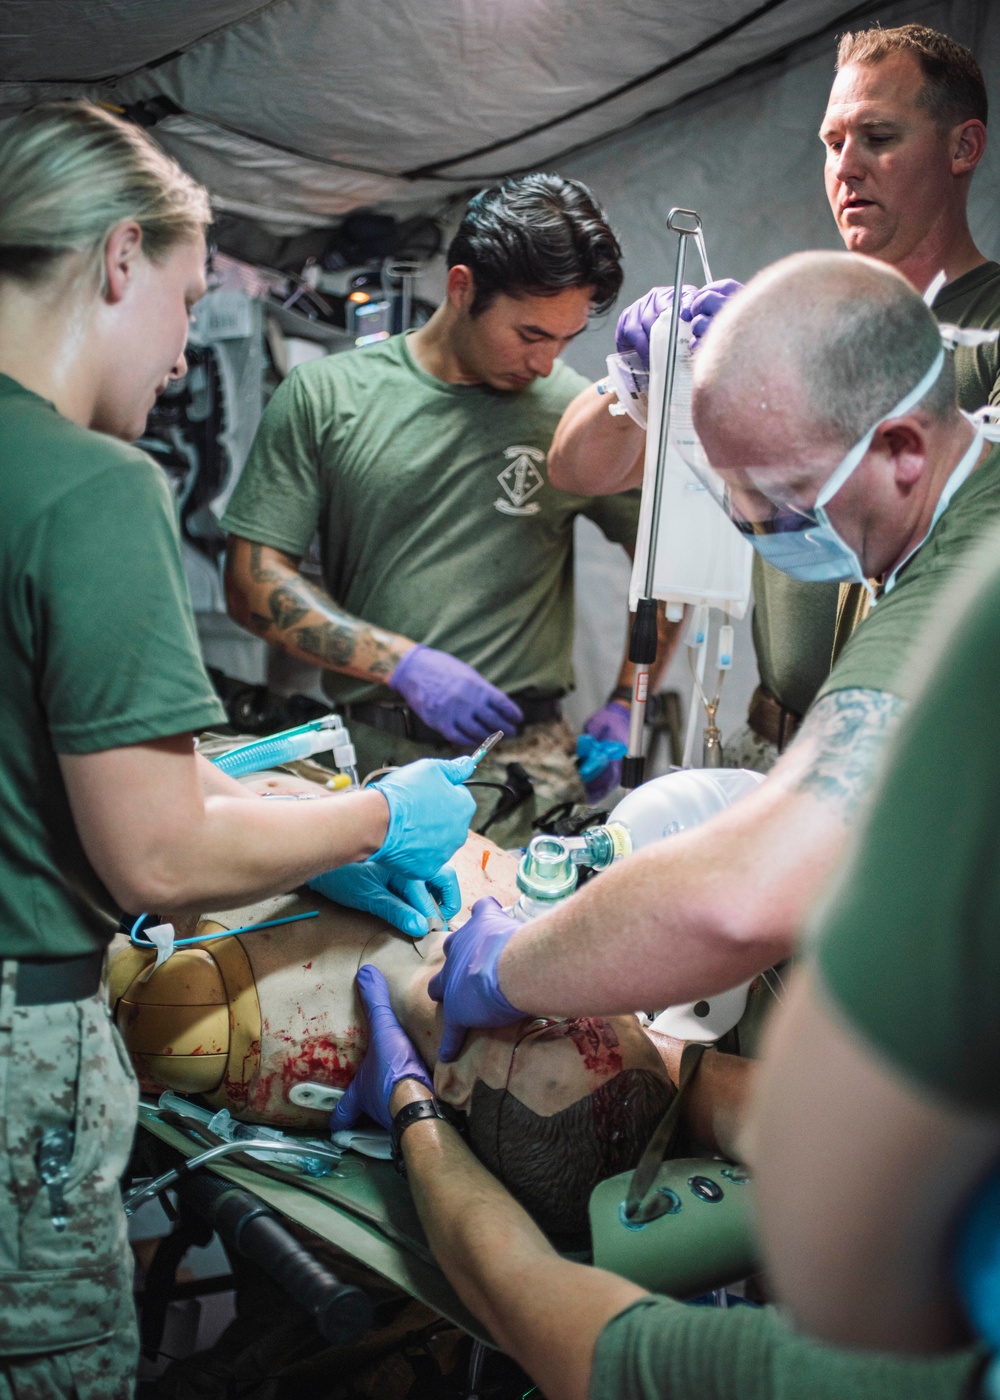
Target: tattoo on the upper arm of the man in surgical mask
column 848, row 731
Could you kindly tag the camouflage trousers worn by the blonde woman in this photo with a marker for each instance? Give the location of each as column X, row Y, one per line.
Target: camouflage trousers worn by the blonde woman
column 68, row 1325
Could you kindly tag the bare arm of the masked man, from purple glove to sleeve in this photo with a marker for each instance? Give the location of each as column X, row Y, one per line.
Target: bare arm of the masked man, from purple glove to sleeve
column 707, row 909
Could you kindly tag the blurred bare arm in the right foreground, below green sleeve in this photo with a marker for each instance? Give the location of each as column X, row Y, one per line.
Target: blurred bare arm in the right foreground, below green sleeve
column 838, row 1136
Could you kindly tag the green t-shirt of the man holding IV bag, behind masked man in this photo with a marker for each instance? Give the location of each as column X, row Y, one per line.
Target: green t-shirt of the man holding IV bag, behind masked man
column 795, row 624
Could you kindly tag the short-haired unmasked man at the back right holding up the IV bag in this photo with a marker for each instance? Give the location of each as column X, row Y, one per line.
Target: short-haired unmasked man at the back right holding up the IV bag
column 904, row 131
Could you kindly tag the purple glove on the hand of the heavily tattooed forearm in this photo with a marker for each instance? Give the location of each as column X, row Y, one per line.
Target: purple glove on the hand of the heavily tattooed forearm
column 453, row 698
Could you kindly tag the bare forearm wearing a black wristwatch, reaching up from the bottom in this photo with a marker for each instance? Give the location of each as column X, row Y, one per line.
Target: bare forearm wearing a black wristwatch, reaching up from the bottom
column 540, row 1308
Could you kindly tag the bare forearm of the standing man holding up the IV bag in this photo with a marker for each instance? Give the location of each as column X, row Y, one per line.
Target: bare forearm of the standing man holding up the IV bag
column 595, row 453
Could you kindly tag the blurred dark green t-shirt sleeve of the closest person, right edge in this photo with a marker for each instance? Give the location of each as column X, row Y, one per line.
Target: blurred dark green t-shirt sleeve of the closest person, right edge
column 926, row 876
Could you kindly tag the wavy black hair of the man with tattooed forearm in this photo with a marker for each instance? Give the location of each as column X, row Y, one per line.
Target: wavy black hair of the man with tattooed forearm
column 539, row 236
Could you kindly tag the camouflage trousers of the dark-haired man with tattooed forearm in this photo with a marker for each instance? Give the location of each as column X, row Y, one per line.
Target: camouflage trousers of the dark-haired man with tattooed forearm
column 546, row 751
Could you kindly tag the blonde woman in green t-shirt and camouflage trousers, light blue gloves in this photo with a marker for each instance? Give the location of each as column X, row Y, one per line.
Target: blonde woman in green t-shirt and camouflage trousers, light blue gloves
column 104, row 804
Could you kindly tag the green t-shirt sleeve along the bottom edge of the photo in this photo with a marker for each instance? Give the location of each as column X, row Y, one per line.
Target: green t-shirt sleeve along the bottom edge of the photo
column 665, row 1350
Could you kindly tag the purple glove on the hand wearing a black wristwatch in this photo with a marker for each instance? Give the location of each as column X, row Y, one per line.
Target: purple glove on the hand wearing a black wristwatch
column 389, row 1059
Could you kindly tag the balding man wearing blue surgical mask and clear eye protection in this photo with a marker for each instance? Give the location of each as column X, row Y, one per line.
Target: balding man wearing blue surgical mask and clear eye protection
column 833, row 437
